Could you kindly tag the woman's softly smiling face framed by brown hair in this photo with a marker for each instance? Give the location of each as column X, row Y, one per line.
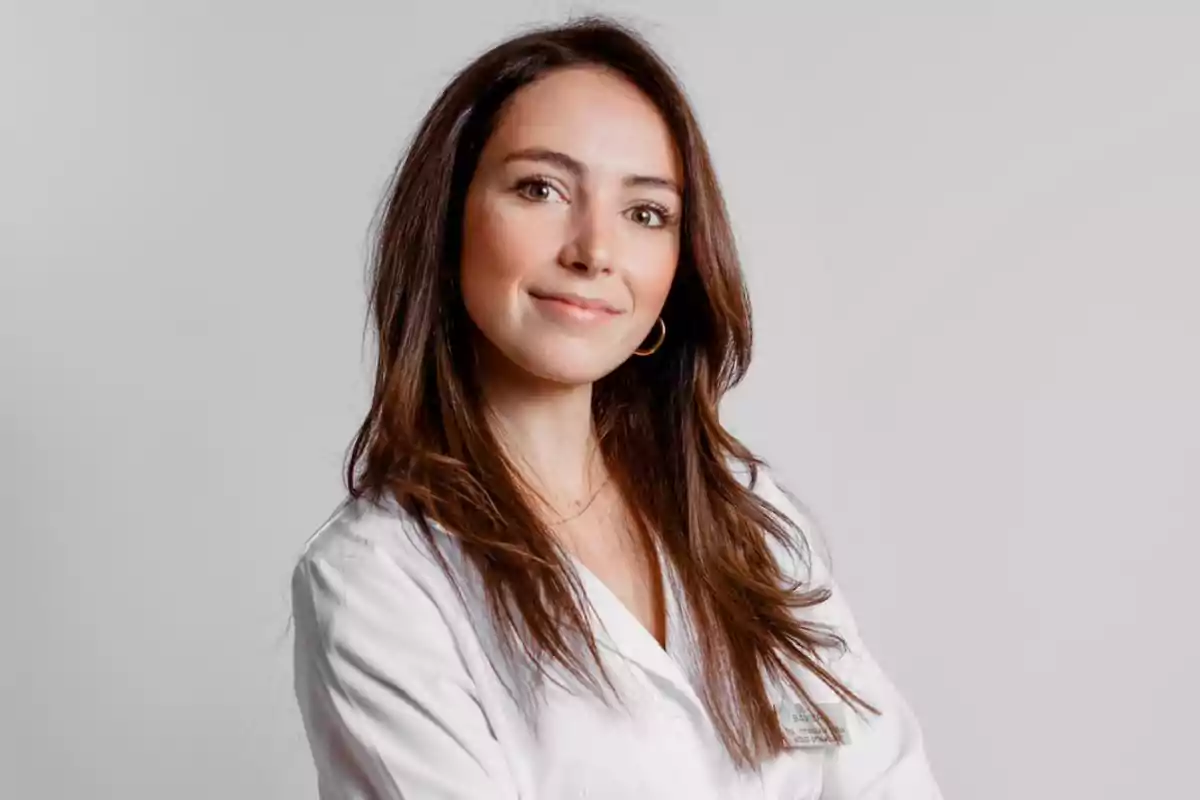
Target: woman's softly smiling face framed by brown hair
column 572, row 226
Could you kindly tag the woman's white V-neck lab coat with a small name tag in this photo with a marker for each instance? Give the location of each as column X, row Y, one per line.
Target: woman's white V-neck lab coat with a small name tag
column 406, row 691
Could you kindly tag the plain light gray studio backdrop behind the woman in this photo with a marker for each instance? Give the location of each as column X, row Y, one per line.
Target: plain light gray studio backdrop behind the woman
column 973, row 245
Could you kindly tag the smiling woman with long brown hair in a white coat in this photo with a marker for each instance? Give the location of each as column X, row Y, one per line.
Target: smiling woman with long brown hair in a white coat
column 557, row 575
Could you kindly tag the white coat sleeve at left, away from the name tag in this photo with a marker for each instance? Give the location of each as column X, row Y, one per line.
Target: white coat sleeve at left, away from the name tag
column 387, row 702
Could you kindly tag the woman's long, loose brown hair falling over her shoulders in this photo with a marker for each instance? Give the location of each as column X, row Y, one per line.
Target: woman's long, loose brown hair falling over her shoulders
column 425, row 441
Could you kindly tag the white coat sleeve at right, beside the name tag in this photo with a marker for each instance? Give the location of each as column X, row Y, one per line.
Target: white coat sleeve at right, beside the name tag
column 885, row 759
